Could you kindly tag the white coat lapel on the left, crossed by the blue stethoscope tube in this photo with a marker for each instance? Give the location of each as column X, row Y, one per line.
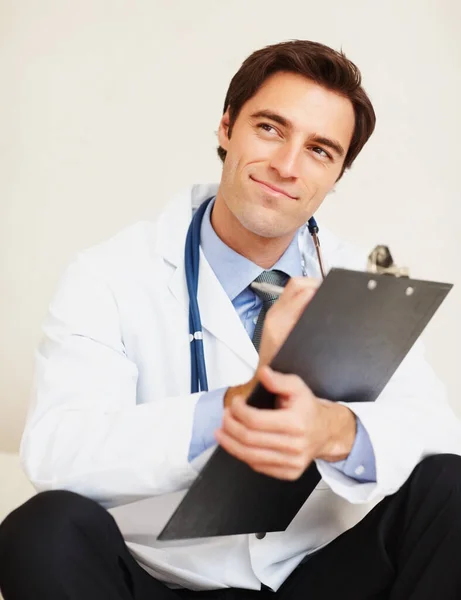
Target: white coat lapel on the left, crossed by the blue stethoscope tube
column 217, row 313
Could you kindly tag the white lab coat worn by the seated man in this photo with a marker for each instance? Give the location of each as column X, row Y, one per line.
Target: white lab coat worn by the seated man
column 112, row 414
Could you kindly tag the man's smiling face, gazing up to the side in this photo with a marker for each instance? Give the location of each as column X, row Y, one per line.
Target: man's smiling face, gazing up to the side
column 293, row 135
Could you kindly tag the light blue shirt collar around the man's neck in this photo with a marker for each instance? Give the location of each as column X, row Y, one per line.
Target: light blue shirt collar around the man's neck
column 234, row 271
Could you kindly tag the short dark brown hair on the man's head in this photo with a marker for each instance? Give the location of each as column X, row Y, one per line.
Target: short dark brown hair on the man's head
column 321, row 64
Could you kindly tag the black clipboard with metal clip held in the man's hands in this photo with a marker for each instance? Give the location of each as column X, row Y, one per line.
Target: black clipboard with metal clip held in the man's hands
column 346, row 346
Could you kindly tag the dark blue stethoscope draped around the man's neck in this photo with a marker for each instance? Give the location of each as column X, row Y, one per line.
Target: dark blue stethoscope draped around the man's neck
column 199, row 381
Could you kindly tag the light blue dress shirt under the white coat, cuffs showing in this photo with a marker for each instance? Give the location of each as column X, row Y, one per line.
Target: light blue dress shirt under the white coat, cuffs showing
column 236, row 273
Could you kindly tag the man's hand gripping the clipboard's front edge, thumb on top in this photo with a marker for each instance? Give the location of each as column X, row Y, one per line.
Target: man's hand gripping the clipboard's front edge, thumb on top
column 283, row 442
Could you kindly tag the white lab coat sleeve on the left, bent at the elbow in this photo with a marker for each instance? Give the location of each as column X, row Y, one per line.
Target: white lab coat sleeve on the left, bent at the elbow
column 84, row 430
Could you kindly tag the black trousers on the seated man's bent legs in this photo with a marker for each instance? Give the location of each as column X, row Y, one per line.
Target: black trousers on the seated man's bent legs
column 59, row 545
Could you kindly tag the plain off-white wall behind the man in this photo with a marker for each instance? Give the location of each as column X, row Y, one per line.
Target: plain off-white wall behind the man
column 108, row 106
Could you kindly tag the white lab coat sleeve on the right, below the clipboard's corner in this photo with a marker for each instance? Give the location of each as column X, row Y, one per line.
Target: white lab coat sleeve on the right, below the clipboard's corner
column 409, row 421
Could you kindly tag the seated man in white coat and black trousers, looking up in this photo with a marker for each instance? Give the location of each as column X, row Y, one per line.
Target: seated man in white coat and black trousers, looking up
column 114, row 423
